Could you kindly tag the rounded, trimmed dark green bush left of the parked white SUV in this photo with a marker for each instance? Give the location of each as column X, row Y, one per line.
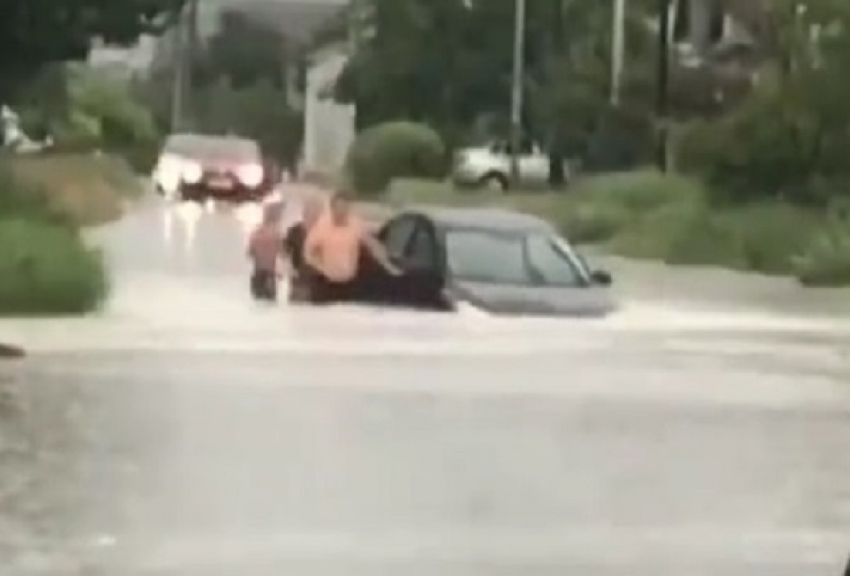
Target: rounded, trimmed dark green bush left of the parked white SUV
column 394, row 150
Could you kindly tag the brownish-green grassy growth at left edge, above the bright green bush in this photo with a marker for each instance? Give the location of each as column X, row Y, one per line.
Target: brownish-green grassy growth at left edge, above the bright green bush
column 90, row 189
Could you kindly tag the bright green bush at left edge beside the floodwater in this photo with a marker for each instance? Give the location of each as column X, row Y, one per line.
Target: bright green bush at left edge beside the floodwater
column 47, row 270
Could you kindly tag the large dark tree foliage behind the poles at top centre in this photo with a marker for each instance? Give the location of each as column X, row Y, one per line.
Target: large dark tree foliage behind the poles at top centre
column 465, row 52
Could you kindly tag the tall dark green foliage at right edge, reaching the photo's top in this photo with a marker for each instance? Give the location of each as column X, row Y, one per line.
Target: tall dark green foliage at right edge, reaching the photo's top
column 788, row 141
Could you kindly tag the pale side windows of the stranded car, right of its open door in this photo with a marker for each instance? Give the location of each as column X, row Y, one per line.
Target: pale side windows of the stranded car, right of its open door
column 519, row 258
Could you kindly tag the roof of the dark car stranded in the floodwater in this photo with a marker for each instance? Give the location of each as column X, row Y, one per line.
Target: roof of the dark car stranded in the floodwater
column 493, row 219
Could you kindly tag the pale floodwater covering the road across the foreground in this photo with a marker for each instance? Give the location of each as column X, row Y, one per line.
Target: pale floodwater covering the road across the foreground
column 187, row 431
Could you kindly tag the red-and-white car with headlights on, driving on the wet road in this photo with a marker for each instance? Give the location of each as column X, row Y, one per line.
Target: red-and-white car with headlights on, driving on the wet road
column 198, row 167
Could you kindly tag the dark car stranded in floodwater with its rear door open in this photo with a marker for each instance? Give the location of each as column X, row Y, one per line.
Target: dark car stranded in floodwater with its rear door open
column 497, row 260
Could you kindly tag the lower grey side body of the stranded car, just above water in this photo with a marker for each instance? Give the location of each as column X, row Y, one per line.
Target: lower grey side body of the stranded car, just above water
column 590, row 301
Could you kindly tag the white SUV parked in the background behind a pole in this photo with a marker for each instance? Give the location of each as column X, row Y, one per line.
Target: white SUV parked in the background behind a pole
column 489, row 166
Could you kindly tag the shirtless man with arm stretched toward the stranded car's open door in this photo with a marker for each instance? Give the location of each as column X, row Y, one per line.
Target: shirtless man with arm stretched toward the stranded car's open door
column 333, row 249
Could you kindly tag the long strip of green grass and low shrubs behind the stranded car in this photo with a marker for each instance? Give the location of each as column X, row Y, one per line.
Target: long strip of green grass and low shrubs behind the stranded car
column 645, row 214
